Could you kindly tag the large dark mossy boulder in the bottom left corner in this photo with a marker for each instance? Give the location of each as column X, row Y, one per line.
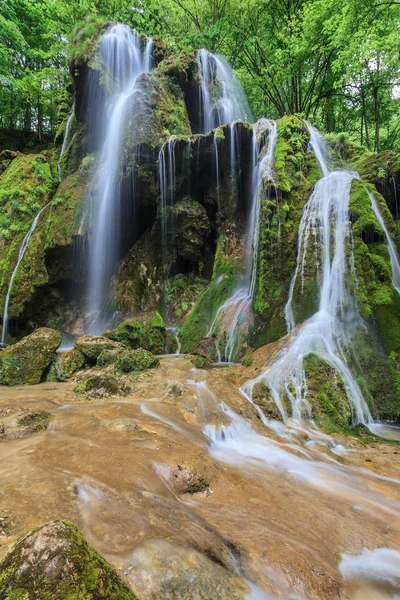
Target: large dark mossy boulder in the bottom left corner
column 55, row 561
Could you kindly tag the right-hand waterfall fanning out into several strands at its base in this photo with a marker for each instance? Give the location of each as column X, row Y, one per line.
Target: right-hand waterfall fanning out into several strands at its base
column 328, row 333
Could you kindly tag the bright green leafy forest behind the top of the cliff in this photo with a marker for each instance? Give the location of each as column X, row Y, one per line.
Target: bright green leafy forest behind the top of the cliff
column 335, row 62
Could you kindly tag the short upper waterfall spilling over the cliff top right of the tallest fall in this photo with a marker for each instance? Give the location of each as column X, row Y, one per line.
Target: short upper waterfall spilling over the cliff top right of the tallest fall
column 221, row 97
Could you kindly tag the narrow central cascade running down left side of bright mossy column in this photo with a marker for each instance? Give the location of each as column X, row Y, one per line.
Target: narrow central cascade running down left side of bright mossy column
column 238, row 305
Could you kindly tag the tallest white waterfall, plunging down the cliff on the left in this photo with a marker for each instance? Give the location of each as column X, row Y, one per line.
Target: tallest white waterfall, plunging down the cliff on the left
column 125, row 60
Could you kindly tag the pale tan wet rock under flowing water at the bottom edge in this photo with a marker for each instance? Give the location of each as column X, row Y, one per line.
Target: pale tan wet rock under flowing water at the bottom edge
column 182, row 574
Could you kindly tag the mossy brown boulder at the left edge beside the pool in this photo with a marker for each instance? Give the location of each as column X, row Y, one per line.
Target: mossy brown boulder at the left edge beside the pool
column 27, row 360
